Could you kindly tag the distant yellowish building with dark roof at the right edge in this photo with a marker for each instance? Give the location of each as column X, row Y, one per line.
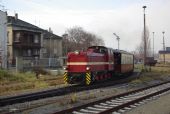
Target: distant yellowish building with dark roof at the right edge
column 166, row 53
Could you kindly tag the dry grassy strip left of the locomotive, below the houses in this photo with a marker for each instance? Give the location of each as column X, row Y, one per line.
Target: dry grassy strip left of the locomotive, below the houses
column 11, row 83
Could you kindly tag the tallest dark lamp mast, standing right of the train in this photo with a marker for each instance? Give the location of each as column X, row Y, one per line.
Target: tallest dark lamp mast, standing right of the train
column 144, row 38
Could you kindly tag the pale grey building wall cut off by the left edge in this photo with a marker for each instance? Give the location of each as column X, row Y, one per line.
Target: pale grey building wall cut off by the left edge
column 3, row 39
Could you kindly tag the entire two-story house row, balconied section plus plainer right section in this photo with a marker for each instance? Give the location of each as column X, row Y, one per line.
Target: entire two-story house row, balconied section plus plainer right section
column 31, row 42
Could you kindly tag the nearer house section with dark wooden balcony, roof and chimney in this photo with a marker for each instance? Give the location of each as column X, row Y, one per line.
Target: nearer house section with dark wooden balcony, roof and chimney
column 24, row 40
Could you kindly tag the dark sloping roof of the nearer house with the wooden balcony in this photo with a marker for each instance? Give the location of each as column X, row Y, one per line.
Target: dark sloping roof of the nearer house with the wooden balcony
column 17, row 22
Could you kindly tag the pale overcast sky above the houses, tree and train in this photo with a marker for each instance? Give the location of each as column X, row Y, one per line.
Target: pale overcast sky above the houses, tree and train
column 102, row 17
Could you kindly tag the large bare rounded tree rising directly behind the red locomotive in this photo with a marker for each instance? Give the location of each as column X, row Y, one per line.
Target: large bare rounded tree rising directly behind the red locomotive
column 77, row 38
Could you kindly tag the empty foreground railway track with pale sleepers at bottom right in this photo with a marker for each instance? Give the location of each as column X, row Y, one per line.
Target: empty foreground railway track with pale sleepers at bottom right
column 120, row 103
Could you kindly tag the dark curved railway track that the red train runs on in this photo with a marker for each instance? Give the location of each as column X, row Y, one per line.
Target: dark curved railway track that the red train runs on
column 59, row 92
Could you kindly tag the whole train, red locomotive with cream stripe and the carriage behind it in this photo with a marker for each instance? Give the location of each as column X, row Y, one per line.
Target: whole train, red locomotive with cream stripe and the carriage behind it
column 97, row 63
